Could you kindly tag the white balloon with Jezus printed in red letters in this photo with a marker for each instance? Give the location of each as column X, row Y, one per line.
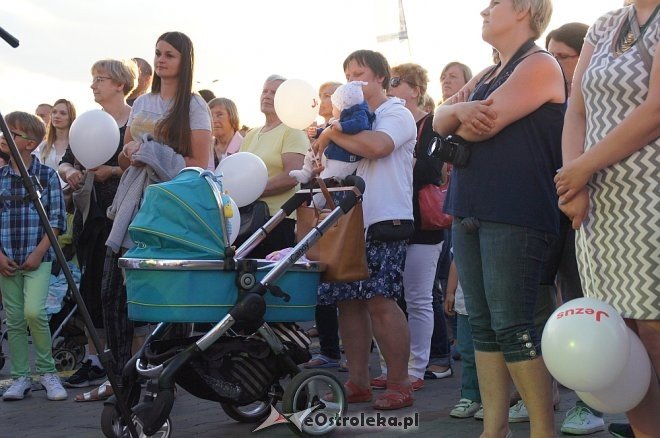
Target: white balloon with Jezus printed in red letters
column 585, row 344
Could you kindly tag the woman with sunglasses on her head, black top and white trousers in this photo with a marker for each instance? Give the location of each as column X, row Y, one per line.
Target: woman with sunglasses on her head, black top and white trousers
column 409, row 83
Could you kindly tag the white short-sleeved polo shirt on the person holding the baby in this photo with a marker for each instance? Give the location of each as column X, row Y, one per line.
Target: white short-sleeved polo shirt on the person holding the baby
column 388, row 192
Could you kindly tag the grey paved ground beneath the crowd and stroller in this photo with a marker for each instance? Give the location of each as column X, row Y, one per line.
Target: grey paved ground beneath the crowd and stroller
column 36, row 417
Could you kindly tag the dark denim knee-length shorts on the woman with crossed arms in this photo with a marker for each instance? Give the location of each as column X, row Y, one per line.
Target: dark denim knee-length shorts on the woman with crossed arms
column 500, row 268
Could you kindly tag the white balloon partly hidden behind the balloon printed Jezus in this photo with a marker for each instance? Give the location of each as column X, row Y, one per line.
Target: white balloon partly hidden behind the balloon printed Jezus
column 629, row 388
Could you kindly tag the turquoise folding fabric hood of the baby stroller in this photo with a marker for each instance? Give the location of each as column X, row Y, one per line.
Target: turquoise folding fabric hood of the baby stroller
column 179, row 219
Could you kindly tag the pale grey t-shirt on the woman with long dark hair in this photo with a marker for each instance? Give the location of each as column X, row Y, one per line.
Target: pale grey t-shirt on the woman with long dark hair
column 149, row 108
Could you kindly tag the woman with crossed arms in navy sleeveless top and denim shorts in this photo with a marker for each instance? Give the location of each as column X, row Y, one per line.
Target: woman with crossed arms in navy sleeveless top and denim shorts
column 504, row 206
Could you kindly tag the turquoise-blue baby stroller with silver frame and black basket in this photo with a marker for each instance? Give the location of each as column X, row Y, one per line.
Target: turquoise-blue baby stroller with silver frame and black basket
column 182, row 271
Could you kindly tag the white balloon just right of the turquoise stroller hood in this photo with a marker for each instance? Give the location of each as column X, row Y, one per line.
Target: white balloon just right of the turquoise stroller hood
column 244, row 177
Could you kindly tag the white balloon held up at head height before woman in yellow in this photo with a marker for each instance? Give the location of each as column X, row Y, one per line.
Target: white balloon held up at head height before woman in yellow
column 296, row 103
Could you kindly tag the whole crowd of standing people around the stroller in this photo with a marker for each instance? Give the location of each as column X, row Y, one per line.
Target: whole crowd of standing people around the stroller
column 551, row 198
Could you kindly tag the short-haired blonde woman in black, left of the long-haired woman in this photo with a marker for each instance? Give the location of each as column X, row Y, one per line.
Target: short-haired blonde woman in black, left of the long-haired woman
column 112, row 81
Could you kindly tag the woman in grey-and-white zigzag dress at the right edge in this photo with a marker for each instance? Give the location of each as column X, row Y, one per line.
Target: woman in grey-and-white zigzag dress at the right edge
column 608, row 185
